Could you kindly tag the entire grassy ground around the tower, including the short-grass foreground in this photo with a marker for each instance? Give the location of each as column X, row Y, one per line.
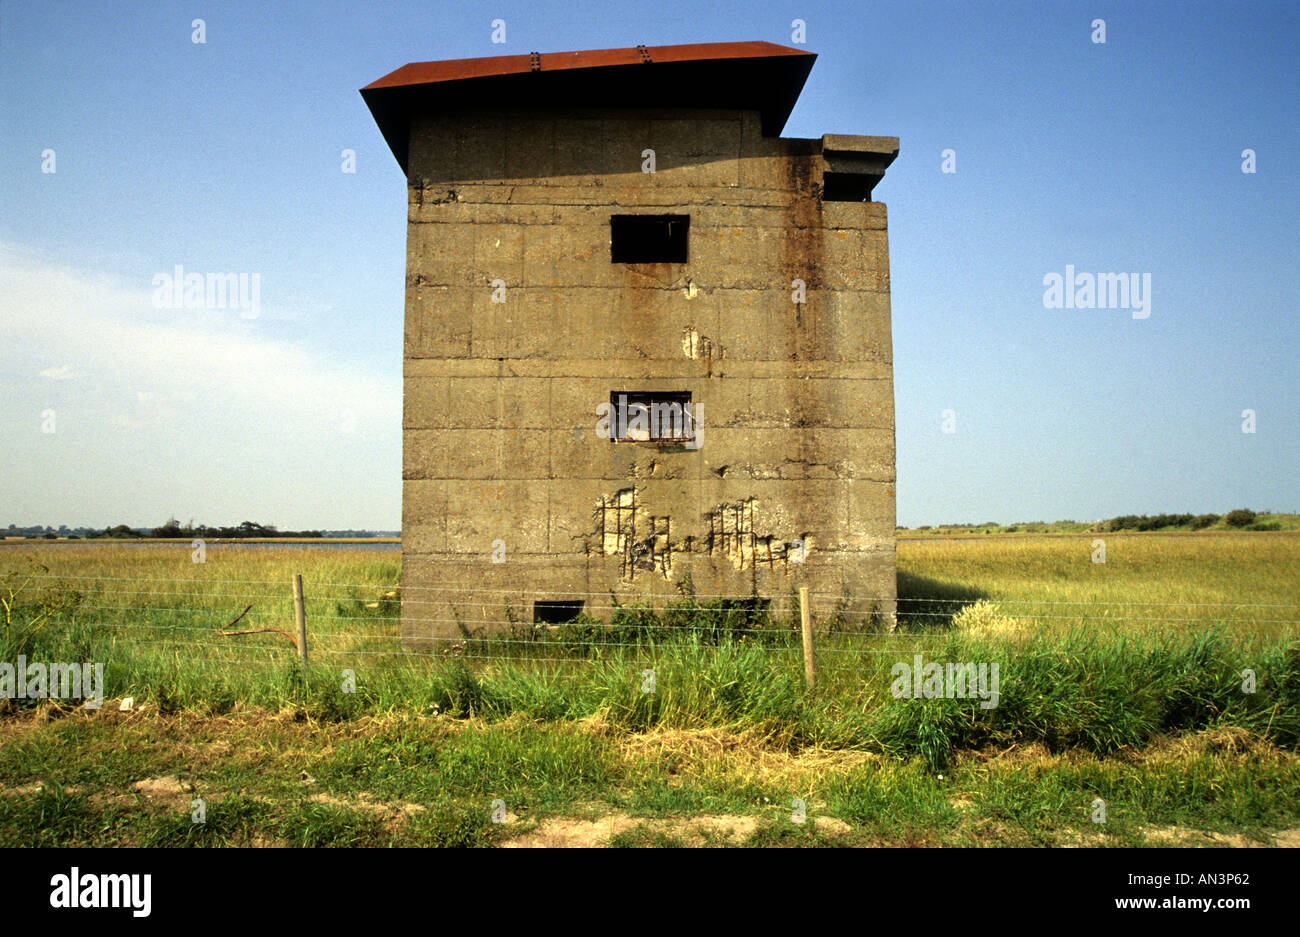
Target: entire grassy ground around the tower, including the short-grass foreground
column 1121, row 687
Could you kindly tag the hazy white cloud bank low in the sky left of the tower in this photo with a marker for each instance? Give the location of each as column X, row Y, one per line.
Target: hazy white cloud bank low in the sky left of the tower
column 183, row 411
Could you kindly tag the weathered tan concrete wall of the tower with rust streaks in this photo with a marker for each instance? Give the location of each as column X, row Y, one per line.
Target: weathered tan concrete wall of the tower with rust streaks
column 501, row 400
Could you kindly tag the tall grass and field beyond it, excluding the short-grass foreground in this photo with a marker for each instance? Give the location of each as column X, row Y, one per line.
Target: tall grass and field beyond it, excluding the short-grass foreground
column 1073, row 676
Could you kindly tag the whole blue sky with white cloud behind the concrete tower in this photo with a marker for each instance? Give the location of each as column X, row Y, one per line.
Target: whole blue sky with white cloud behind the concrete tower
column 226, row 157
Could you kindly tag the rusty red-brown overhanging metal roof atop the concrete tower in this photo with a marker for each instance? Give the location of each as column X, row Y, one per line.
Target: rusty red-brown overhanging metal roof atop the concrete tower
column 755, row 76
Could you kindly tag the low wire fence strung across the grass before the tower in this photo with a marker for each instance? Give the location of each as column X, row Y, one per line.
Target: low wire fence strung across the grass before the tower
column 253, row 621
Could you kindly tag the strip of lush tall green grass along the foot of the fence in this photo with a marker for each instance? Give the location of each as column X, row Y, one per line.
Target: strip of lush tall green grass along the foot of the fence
column 1067, row 691
